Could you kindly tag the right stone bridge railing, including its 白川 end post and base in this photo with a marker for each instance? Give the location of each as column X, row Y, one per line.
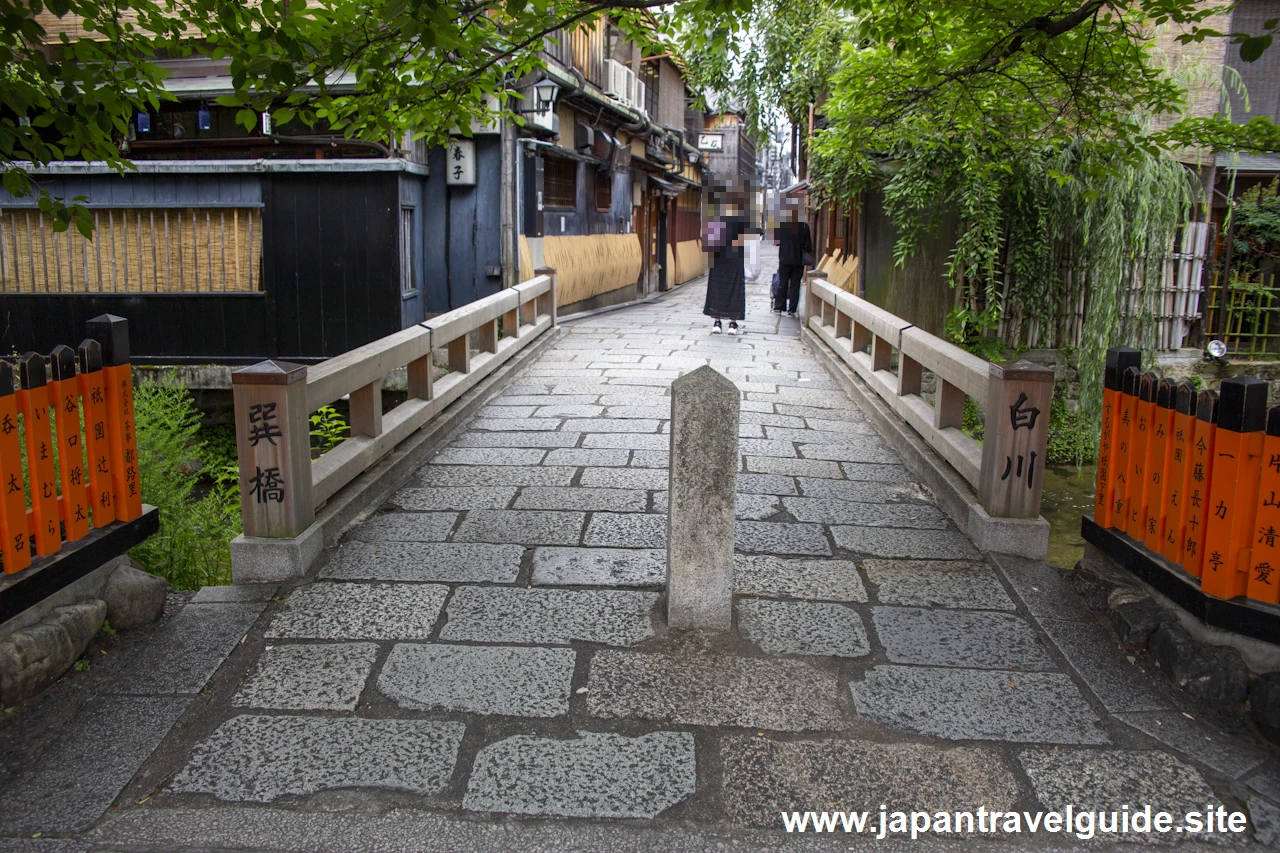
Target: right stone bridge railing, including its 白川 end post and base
column 1007, row 468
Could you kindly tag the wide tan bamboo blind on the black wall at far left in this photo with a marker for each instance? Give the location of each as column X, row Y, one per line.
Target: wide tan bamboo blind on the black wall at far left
column 135, row 250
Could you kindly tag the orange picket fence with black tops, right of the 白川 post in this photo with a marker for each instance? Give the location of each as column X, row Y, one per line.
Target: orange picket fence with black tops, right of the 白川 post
column 1194, row 477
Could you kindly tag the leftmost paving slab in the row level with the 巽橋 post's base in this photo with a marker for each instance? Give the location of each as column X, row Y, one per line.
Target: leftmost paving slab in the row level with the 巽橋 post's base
column 426, row 562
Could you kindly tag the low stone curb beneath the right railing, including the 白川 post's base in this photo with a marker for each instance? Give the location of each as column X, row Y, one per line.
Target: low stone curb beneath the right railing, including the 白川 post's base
column 1020, row 537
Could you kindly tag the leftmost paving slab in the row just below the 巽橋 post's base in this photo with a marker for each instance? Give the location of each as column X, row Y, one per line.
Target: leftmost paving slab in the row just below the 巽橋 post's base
column 360, row 612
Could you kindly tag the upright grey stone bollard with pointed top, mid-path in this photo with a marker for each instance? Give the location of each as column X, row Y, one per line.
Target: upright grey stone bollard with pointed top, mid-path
column 703, row 499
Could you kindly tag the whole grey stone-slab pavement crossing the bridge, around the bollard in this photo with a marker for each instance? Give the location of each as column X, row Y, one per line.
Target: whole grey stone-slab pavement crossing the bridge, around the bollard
column 484, row 663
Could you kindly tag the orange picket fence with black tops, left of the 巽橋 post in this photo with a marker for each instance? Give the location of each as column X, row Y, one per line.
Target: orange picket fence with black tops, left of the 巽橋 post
column 80, row 402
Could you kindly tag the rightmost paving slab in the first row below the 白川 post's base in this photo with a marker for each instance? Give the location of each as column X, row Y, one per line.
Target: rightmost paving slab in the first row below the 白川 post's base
column 938, row 583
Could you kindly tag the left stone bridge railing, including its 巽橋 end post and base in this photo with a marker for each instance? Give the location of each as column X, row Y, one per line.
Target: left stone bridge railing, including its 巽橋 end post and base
column 282, row 487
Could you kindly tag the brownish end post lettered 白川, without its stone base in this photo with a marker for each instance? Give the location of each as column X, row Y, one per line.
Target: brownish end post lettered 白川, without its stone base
column 1014, row 441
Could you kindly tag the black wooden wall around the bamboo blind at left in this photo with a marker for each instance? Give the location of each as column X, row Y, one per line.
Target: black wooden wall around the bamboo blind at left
column 331, row 270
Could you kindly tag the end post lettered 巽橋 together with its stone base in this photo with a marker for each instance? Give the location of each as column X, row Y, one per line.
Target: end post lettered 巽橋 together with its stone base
column 273, row 448
